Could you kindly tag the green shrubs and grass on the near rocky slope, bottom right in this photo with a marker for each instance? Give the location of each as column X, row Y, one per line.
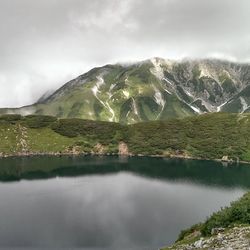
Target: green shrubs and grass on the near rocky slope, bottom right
column 237, row 215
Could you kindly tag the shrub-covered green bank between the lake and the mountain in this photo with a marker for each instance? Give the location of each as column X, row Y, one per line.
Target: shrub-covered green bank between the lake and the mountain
column 209, row 136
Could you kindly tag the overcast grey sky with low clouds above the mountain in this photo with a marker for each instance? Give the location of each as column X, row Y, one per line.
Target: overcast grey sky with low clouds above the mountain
column 44, row 43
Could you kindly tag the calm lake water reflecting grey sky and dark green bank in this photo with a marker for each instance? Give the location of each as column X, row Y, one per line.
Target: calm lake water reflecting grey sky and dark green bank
column 109, row 202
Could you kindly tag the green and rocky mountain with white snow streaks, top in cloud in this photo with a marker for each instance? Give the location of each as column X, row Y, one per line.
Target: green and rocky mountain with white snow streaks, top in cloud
column 155, row 89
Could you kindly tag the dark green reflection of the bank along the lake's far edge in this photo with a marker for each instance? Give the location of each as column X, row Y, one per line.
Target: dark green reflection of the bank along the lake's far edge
column 203, row 172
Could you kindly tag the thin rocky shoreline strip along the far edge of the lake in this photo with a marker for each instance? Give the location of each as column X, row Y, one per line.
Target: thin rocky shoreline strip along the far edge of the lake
column 73, row 154
